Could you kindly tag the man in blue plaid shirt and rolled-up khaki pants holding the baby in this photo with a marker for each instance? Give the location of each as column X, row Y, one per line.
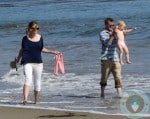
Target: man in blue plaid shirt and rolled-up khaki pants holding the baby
column 109, row 58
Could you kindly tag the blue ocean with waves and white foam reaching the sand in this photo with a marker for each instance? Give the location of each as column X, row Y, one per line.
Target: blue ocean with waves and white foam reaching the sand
column 72, row 27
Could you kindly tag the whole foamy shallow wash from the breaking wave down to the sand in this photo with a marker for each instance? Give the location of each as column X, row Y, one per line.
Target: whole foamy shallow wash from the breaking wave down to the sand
column 71, row 91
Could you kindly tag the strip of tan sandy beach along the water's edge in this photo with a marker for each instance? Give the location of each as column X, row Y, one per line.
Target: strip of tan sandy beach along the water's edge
column 29, row 113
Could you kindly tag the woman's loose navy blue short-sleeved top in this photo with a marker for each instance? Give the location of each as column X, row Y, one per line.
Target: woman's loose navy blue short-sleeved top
column 31, row 51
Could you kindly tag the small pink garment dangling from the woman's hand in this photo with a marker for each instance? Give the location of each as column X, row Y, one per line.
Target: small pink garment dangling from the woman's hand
column 59, row 64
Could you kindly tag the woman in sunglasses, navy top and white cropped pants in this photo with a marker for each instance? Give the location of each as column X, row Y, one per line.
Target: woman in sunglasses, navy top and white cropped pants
column 30, row 55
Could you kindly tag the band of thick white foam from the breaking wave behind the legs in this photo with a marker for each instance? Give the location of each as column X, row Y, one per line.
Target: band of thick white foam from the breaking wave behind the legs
column 71, row 81
